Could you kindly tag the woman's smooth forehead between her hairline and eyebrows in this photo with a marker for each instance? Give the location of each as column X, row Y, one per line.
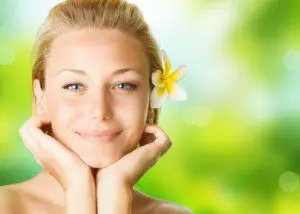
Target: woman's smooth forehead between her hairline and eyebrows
column 95, row 49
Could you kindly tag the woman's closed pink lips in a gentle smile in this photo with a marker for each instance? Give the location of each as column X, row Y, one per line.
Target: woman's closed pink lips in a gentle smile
column 102, row 137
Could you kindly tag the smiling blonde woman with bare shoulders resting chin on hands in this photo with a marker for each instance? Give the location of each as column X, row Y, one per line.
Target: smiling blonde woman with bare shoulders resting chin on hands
column 94, row 126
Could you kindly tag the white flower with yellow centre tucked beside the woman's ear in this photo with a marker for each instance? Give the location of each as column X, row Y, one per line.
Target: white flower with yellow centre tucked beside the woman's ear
column 165, row 84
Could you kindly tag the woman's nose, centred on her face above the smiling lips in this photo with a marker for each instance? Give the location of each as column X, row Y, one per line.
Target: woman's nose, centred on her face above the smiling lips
column 100, row 107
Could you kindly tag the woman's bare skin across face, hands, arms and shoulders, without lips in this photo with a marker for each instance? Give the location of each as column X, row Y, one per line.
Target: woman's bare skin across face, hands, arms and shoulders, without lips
column 81, row 176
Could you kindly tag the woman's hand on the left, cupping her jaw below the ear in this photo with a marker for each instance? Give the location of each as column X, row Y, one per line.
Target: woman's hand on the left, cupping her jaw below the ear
column 54, row 157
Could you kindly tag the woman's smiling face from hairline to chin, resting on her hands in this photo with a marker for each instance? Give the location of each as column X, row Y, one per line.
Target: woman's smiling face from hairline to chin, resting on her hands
column 97, row 80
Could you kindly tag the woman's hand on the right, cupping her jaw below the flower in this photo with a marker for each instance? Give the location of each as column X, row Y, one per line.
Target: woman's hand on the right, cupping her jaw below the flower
column 130, row 168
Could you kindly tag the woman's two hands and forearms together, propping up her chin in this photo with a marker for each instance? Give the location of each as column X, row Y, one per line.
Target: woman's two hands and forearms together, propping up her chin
column 113, row 183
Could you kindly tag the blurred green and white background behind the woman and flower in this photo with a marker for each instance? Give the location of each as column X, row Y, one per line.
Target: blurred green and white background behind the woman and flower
column 235, row 140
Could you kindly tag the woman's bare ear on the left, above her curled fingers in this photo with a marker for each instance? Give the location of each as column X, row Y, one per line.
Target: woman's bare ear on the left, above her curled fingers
column 39, row 100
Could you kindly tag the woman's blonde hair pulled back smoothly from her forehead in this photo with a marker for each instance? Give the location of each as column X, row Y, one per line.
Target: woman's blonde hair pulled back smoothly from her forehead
column 105, row 14
